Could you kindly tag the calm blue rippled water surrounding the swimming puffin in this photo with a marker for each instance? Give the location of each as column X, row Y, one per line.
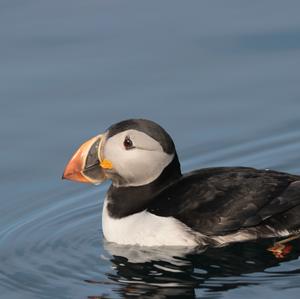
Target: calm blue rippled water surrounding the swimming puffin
column 221, row 76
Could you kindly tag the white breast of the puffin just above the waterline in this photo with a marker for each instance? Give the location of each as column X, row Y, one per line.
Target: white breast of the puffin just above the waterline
column 146, row 229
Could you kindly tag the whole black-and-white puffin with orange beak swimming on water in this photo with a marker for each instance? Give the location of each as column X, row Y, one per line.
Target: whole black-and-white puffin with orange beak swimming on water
column 151, row 203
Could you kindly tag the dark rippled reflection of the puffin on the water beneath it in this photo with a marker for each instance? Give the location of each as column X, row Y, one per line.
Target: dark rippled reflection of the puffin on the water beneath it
column 173, row 272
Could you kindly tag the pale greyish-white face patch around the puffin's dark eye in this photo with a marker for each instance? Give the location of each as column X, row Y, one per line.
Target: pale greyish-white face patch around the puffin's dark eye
column 138, row 164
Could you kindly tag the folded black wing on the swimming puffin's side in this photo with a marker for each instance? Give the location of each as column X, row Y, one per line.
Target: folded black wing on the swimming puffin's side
column 222, row 200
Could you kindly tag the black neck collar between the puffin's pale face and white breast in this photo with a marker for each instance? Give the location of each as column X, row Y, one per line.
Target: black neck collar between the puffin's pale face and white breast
column 125, row 201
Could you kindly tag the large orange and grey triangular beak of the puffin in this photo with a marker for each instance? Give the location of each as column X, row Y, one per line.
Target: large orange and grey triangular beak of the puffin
column 85, row 165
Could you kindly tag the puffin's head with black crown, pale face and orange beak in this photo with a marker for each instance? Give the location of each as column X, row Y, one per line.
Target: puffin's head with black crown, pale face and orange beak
column 131, row 153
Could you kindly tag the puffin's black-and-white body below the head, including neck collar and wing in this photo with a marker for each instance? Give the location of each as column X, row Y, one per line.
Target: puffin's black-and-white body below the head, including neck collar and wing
column 209, row 206
